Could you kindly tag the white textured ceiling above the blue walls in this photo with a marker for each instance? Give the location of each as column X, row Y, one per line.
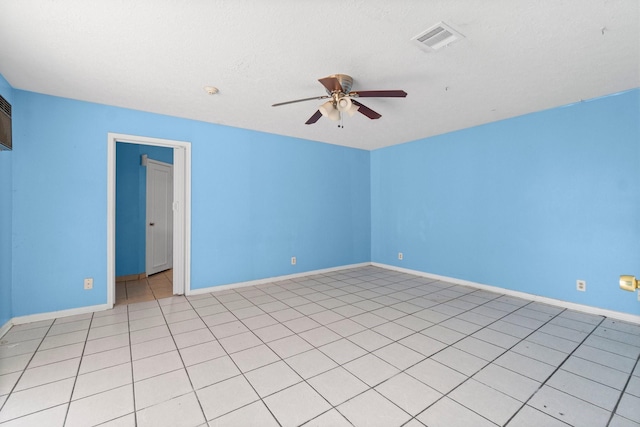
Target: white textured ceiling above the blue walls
column 517, row 57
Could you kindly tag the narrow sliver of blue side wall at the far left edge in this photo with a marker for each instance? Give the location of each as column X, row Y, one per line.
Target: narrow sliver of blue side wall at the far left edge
column 6, row 158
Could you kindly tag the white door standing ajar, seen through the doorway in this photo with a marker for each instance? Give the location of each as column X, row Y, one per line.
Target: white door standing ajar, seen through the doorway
column 159, row 246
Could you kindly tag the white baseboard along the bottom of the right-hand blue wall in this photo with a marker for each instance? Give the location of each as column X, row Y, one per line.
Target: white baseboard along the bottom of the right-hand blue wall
column 627, row 317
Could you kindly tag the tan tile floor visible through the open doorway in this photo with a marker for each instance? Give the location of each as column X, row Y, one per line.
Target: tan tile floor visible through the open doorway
column 156, row 286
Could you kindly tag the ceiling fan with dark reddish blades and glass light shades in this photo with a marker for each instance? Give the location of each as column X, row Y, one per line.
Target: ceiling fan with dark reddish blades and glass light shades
column 338, row 87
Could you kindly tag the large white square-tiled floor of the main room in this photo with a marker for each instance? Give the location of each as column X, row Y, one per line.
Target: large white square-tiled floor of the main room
column 362, row 347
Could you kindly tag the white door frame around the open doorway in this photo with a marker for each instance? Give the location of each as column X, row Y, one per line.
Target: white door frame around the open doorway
column 181, row 210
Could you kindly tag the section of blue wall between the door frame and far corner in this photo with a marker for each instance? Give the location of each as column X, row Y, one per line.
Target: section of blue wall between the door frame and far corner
column 269, row 198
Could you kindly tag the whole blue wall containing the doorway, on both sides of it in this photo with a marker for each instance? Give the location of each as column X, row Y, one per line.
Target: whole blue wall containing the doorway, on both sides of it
column 257, row 200
